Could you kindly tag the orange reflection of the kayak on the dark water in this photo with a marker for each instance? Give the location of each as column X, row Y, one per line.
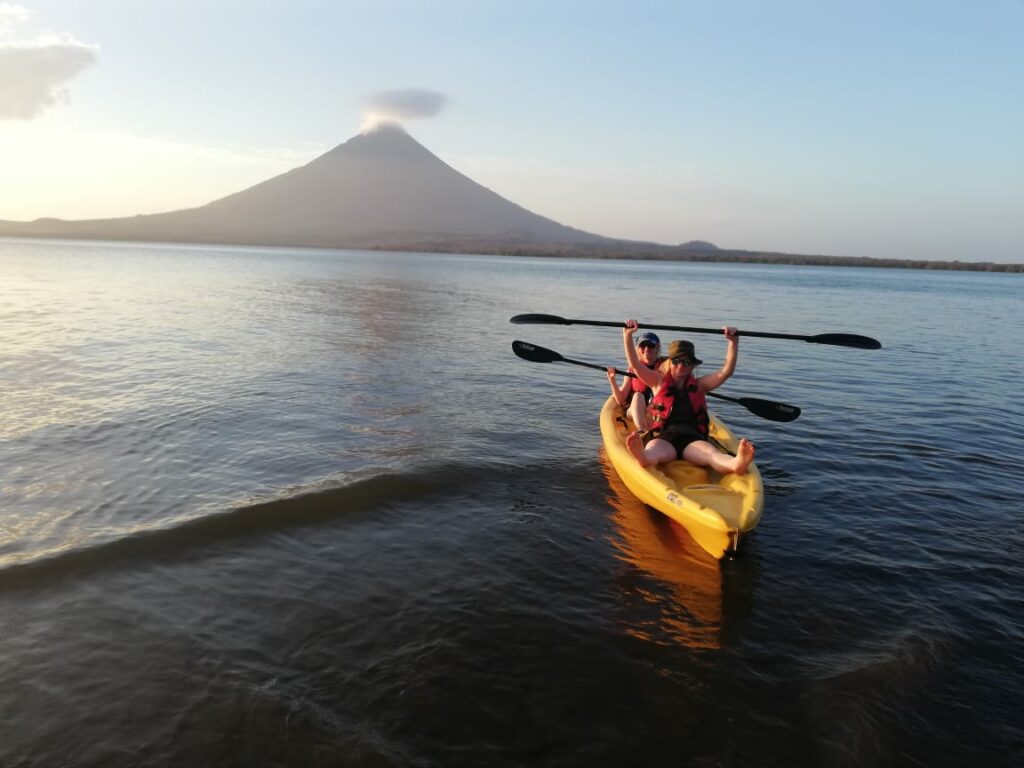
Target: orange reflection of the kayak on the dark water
column 686, row 604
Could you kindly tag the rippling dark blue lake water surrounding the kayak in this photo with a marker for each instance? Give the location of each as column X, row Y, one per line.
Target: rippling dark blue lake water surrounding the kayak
column 297, row 508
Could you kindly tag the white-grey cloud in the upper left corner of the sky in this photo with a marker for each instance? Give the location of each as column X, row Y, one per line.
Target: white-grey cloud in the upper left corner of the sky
column 34, row 70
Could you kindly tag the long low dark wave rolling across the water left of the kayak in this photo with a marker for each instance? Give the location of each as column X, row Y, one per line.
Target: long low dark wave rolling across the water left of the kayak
column 308, row 507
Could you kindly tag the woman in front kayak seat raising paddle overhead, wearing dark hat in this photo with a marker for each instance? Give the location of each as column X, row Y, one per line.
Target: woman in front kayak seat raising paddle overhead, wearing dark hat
column 678, row 411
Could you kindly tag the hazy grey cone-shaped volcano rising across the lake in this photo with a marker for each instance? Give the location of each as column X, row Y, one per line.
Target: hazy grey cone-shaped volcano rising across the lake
column 379, row 190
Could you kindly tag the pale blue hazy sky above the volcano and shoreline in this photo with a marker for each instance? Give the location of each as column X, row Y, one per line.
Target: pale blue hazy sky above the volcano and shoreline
column 849, row 129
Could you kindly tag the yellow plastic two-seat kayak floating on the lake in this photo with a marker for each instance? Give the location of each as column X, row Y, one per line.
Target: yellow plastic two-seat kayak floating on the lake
column 715, row 509
